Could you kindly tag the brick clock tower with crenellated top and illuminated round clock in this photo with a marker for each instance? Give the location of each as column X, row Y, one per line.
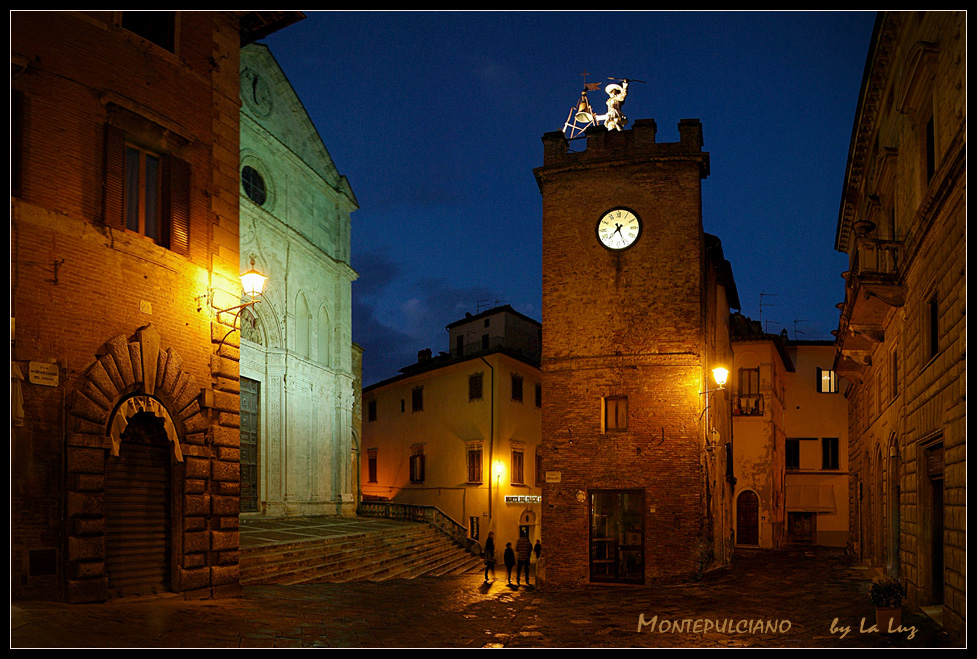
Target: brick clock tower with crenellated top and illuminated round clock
column 636, row 298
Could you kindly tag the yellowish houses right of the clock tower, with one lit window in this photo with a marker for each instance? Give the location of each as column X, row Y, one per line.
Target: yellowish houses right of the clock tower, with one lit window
column 790, row 441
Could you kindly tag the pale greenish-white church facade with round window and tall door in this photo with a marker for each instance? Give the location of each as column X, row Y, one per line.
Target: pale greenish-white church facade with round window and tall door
column 297, row 363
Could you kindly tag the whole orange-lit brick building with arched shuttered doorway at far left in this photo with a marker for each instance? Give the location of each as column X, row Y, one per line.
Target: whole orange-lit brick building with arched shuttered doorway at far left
column 124, row 225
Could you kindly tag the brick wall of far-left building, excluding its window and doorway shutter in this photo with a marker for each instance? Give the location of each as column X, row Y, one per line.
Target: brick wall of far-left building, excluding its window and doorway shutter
column 77, row 285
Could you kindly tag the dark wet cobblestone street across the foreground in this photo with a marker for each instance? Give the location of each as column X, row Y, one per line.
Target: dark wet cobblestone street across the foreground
column 801, row 598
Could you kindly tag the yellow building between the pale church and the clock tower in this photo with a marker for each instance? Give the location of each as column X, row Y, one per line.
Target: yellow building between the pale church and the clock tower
column 460, row 432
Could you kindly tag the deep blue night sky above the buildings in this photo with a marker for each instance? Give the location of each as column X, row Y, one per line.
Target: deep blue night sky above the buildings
column 436, row 118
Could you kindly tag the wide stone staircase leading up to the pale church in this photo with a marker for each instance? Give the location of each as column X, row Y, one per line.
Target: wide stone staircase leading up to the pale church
column 408, row 551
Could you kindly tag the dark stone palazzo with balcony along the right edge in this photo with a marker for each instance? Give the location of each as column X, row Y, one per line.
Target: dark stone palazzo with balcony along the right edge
column 901, row 340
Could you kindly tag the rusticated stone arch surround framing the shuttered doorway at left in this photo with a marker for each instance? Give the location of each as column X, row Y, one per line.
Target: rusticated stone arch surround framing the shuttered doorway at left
column 131, row 378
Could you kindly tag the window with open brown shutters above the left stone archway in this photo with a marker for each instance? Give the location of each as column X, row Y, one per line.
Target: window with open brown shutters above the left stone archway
column 146, row 192
